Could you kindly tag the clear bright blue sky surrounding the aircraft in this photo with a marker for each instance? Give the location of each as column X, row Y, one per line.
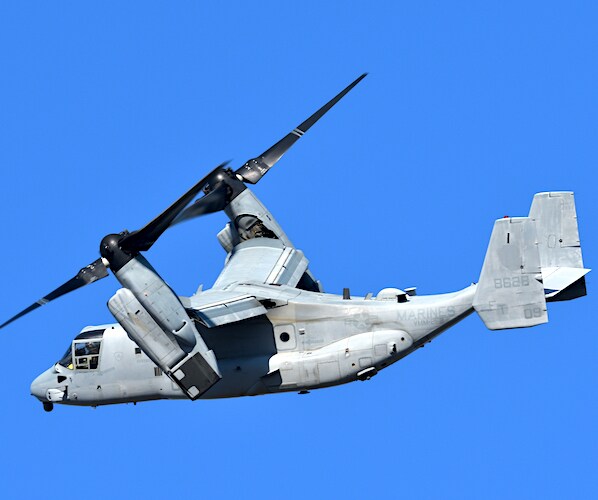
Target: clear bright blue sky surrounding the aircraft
column 108, row 112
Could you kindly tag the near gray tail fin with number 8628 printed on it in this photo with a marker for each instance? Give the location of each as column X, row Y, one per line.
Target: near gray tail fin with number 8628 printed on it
column 509, row 294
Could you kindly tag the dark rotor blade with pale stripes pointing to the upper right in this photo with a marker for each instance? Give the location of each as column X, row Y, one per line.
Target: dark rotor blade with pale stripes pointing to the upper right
column 256, row 168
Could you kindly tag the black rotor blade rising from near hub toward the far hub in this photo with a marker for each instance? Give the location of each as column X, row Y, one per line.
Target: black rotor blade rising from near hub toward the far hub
column 144, row 238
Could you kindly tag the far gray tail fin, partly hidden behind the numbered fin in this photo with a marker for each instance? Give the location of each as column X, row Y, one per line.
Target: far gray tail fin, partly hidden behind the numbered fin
column 563, row 273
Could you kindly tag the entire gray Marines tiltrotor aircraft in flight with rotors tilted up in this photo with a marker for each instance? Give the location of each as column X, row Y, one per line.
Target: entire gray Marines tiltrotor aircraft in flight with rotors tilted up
column 266, row 325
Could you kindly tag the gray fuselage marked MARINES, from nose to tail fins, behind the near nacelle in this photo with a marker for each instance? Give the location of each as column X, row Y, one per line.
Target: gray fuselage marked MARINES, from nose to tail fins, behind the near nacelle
column 313, row 340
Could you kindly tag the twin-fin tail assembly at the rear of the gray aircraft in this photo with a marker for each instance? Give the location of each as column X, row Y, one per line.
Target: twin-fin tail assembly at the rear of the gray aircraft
column 531, row 260
